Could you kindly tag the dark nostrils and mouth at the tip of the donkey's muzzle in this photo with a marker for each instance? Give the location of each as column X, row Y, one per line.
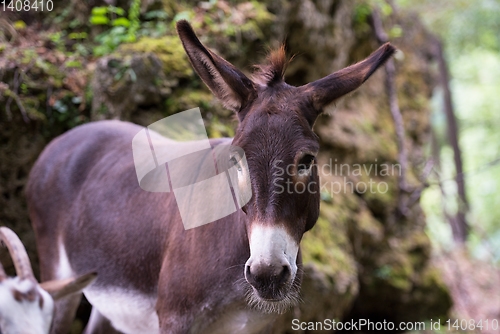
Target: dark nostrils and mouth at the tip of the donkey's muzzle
column 271, row 281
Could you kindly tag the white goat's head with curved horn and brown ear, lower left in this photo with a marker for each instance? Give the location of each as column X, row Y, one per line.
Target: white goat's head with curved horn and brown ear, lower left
column 27, row 307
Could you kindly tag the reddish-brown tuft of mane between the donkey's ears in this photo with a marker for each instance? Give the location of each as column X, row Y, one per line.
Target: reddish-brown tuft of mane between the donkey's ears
column 274, row 71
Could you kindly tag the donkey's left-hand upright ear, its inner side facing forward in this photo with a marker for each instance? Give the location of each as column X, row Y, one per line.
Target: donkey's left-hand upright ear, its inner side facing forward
column 227, row 83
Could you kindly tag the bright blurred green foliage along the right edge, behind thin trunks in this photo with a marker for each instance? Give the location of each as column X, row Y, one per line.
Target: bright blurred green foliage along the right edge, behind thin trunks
column 469, row 30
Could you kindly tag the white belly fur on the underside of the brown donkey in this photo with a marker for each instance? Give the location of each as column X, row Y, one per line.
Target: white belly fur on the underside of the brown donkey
column 130, row 312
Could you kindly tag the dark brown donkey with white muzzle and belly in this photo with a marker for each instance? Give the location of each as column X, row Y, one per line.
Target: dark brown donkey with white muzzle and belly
column 231, row 276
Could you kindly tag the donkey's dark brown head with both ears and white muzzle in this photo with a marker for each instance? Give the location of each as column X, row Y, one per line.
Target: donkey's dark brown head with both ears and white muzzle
column 275, row 132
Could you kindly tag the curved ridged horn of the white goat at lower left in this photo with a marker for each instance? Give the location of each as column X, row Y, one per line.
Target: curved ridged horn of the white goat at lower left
column 17, row 253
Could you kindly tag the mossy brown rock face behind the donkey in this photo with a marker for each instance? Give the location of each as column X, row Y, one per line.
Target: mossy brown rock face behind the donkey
column 363, row 259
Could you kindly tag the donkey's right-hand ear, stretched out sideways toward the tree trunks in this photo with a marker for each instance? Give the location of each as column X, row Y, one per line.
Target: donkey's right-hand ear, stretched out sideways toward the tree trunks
column 324, row 91
